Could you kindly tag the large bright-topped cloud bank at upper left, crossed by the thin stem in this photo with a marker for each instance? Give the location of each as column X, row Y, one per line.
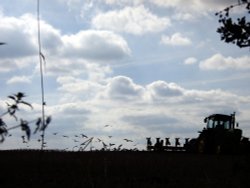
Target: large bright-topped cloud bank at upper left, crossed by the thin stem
column 66, row 54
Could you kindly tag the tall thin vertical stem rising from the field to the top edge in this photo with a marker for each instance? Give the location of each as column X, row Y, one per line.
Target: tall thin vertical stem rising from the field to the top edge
column 41, row 72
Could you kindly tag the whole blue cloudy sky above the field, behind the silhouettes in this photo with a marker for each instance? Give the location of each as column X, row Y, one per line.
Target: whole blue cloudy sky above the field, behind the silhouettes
column 122, row 68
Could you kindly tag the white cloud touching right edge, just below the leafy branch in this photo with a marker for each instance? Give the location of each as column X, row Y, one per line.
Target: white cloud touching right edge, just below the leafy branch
column 219, row 62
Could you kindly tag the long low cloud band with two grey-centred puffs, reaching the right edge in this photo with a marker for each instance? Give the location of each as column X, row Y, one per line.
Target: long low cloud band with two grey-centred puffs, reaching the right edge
column 121, row 88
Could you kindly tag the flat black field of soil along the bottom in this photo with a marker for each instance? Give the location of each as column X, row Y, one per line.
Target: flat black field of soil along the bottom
column 122, row 169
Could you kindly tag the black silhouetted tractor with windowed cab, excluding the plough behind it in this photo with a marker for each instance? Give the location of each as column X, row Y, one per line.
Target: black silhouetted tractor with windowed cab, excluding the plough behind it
column 221, row 135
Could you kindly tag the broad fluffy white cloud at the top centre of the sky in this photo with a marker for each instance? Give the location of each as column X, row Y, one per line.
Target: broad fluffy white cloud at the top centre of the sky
column 135, row 20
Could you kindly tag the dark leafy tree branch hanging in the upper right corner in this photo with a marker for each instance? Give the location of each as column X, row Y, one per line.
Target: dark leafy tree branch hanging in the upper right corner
column 235, row 31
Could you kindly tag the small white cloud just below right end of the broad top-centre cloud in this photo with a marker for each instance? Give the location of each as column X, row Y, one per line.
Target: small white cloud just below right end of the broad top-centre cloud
column 176, row 39
